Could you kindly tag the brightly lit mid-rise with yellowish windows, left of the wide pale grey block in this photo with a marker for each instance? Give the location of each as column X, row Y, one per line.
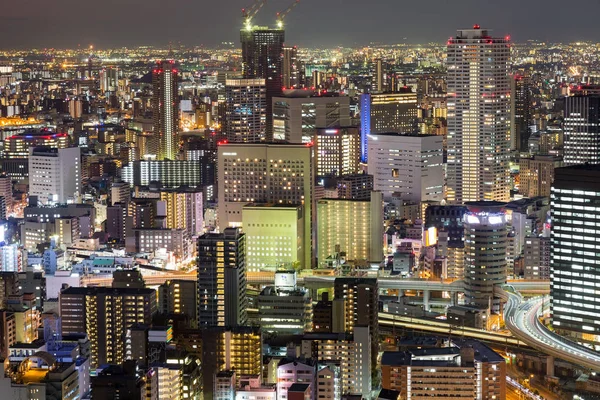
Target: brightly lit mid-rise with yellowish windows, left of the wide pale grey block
column 337, row 151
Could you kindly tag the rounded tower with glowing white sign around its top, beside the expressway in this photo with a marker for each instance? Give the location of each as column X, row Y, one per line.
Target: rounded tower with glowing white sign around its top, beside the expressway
column 486, row 241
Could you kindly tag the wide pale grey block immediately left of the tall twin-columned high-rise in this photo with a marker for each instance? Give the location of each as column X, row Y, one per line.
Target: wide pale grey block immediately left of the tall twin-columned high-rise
column 407, row 166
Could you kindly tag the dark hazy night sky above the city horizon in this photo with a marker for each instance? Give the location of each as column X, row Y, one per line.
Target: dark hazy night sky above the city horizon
column 323, row 23
